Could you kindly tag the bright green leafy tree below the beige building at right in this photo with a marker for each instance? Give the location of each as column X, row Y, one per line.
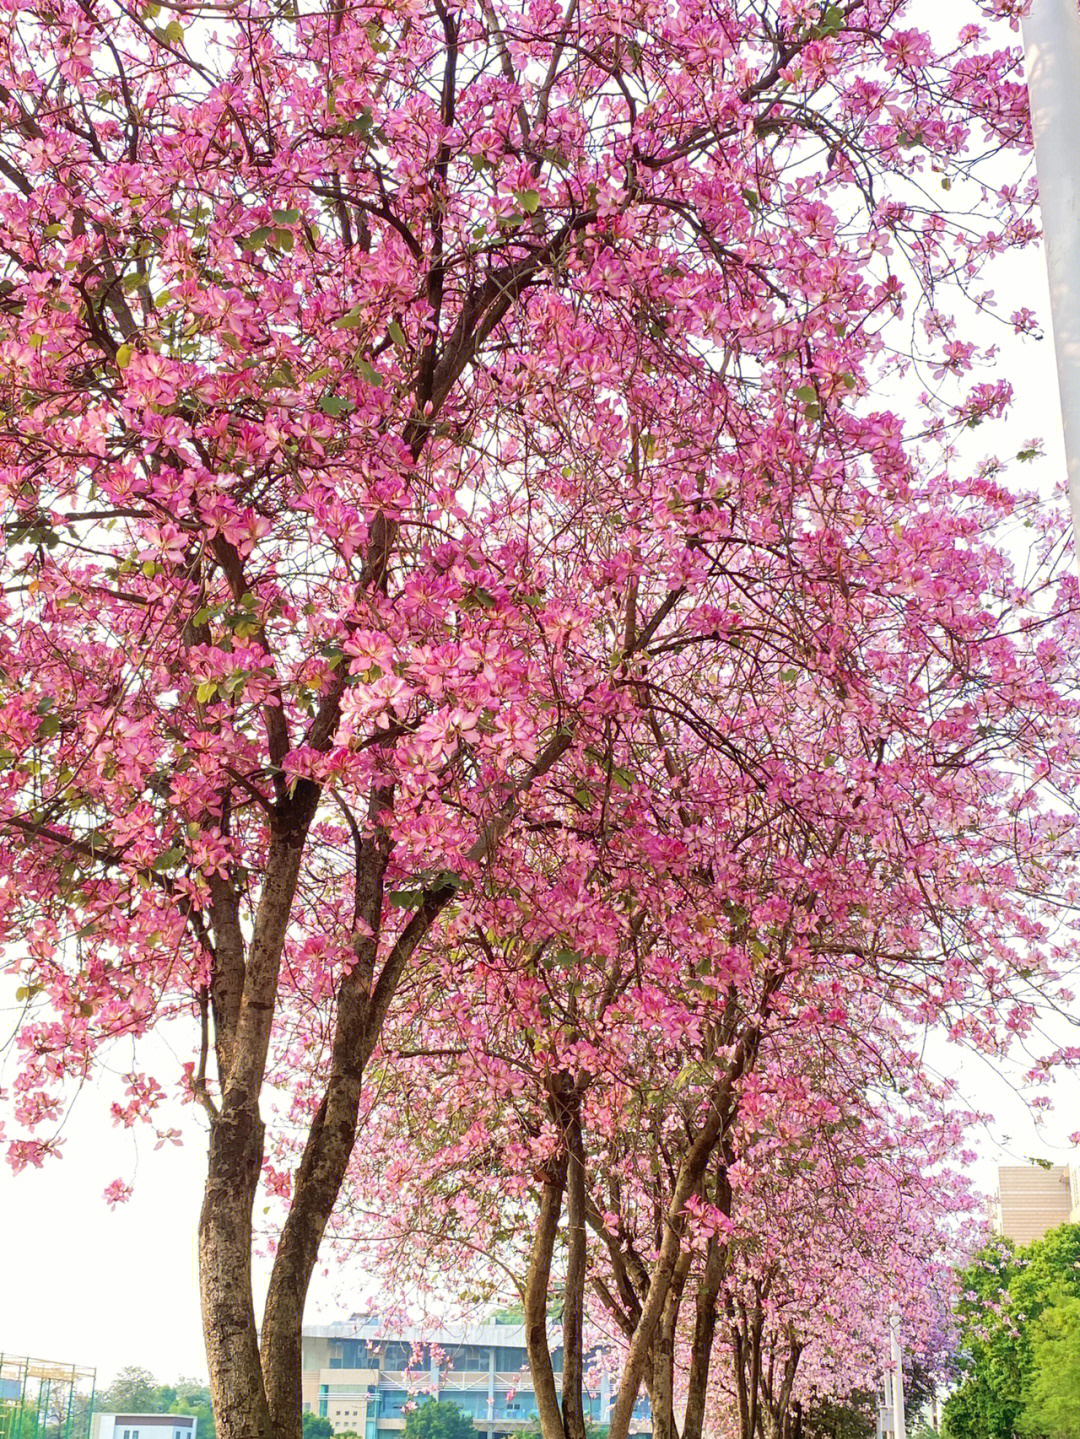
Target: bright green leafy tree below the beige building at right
column 1005, row 1340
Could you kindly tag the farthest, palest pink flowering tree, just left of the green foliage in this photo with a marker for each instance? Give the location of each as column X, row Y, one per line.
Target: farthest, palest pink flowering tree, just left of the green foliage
column 865, row 1230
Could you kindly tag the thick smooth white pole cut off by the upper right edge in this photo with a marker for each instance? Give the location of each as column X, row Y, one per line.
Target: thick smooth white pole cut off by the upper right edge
column 1052, row 45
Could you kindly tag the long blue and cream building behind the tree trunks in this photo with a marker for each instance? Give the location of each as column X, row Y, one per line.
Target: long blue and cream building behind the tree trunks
column 363, row 1376
